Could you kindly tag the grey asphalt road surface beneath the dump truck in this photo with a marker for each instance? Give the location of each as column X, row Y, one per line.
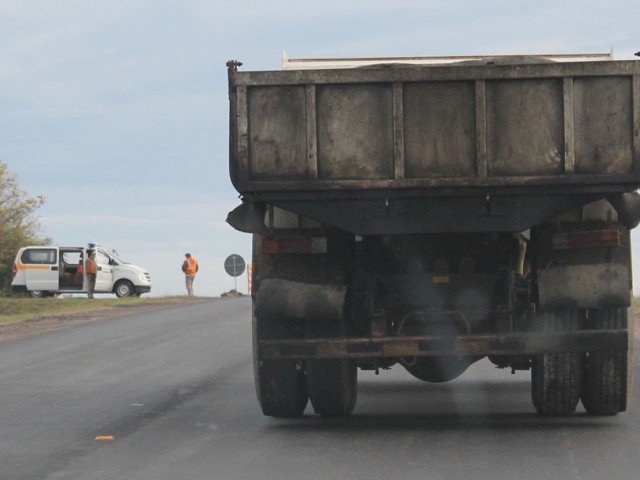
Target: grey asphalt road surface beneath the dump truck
column 174, row 388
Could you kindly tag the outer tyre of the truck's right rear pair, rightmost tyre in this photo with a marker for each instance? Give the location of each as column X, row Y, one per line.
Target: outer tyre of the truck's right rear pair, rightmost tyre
column 605, row 376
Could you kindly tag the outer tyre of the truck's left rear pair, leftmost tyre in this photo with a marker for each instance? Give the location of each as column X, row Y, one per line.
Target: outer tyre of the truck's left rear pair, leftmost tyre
column 280, row 384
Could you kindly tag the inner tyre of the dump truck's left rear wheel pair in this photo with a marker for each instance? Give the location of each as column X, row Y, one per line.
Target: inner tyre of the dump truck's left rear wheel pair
column 332, row 383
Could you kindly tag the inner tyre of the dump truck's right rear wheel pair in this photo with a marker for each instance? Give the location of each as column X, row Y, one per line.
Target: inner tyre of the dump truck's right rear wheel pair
column 556, row 377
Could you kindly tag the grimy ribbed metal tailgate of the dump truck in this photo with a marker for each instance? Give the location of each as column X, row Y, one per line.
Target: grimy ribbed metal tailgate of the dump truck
column 437, row 128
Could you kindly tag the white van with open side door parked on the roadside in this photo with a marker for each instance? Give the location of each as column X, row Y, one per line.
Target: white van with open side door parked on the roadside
column 41, row 271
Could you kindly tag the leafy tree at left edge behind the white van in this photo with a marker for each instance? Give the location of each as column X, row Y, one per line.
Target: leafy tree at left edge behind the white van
column 18, row 224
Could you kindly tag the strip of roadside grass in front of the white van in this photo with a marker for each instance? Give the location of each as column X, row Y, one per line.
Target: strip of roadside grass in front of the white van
column 18, row 309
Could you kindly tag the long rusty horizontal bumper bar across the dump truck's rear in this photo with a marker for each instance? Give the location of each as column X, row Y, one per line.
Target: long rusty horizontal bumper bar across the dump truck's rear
column 466, row 345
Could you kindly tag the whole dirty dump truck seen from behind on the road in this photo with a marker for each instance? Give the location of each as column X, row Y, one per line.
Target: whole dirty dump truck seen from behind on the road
column 430, row 215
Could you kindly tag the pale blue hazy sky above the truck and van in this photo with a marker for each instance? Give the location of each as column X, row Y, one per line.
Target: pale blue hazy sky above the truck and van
column 117, row 112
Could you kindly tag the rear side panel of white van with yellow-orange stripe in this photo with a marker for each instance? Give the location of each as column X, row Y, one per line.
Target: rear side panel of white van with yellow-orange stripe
column 42, row 271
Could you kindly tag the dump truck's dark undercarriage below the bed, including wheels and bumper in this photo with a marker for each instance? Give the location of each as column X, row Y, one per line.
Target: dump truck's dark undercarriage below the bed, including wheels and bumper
column 434, row 304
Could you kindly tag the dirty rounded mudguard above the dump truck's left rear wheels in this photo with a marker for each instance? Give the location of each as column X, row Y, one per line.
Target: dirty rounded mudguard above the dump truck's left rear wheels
column 284, row 299
